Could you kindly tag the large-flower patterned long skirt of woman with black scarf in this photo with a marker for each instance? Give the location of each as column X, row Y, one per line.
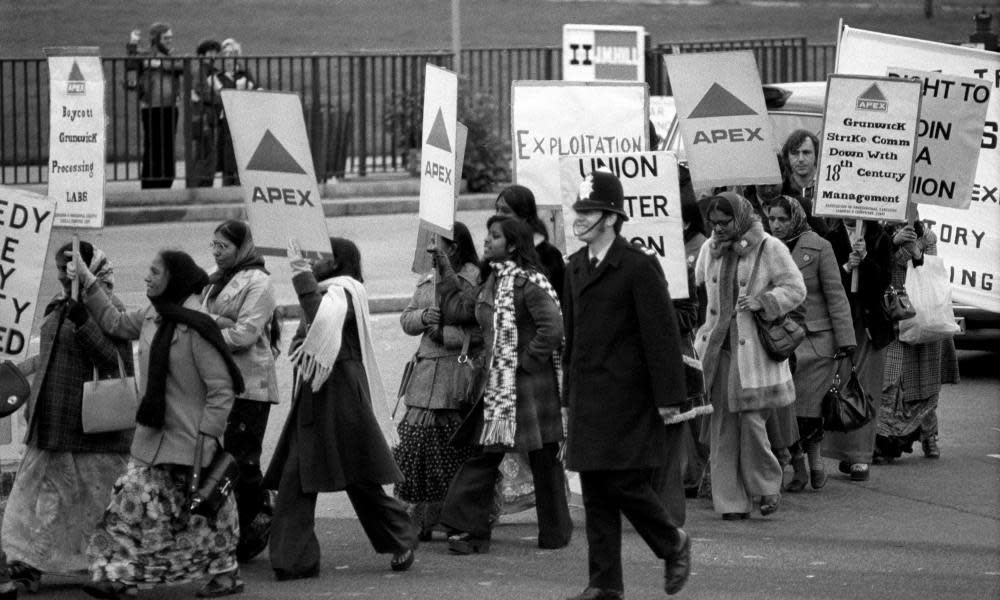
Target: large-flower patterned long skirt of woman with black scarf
column 146, row 536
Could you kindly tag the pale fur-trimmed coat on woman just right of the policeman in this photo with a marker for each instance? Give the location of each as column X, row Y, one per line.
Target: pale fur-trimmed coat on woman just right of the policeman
column 757, row 382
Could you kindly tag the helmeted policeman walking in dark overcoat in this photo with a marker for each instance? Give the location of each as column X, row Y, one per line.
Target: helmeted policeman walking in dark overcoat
column 623, row 377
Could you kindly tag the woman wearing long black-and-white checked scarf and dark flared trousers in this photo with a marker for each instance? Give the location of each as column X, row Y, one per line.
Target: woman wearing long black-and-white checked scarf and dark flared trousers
column 520, row 410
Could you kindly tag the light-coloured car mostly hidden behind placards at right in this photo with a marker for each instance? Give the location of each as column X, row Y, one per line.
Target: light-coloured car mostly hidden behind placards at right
column 800, row 105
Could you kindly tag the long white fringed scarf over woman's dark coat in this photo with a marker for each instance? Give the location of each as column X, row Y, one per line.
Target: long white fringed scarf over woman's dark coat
column 314, row 359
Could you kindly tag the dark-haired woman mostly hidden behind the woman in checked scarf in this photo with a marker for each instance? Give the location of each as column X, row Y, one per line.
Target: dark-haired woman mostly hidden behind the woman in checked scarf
column 515, row 491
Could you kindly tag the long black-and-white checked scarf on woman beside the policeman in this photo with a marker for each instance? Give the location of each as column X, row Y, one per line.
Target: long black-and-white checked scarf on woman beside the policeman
column 500, row 401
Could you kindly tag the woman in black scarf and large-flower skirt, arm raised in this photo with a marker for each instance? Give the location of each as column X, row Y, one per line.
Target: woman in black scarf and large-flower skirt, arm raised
column 148, row 535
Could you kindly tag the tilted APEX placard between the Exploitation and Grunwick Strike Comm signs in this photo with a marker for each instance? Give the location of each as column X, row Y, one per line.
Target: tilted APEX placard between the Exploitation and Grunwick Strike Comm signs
column 728, row 136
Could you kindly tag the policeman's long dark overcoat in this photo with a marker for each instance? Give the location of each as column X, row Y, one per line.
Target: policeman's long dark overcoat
column 622, row 360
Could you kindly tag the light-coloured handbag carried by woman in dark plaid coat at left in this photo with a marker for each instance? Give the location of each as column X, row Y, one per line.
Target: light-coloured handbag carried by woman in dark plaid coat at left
column 109, row 404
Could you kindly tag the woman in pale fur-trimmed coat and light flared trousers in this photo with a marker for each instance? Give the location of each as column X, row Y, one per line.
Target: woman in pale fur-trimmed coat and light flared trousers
column 744, row 383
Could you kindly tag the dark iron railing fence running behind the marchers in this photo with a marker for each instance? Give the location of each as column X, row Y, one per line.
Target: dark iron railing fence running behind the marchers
column 360, row 108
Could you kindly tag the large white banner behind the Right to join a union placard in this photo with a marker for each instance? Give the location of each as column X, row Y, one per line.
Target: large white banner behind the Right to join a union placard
column 968, row 240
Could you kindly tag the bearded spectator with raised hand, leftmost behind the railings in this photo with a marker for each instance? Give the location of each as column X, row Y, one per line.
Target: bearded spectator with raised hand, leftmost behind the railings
column 158, row 84
